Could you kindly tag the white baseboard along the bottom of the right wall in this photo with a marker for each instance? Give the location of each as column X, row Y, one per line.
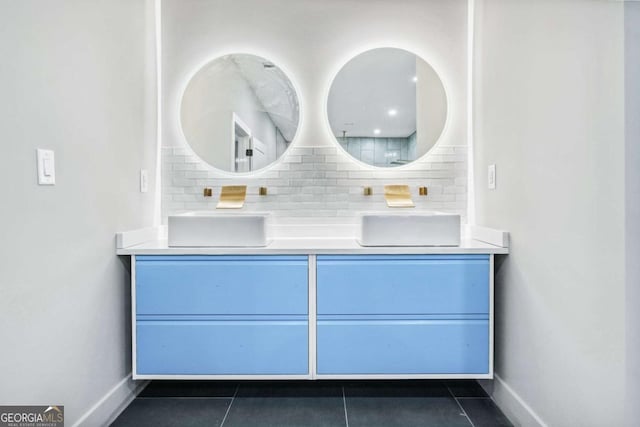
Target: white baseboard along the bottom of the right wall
column 511, row 404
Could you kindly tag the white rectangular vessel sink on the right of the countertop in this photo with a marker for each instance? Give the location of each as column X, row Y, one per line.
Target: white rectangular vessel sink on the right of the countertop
column 409, row 229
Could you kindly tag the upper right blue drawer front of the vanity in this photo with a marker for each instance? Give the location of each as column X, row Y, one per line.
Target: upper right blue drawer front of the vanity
column 403, row 284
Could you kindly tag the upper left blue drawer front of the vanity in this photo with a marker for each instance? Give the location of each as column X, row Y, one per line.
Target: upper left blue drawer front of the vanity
column 221, row 284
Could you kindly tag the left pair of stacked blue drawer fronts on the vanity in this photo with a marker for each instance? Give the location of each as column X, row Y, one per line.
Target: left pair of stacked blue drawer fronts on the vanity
column 221, row 315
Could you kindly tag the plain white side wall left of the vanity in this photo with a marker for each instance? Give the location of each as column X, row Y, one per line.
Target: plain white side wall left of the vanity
column 74, row 78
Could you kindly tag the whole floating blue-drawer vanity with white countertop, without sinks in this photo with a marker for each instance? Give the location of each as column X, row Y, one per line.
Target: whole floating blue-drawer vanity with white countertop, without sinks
column 312, row 308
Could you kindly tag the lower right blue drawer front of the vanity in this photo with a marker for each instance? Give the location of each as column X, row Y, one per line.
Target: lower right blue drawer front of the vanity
column 403, row 347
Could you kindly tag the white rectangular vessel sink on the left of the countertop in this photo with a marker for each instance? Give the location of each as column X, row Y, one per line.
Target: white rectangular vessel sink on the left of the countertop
column 210, row 228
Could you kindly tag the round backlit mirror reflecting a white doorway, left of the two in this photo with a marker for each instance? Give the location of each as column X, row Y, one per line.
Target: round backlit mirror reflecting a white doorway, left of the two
column 239, row 112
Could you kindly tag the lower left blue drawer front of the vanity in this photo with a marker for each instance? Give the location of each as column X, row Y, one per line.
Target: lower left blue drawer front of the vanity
column 222, row 347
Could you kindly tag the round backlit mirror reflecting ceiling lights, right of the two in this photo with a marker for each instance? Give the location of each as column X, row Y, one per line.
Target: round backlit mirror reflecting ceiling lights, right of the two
column 387, row 107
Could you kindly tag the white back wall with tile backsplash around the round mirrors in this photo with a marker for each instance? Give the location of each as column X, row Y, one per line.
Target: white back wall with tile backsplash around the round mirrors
column 310, row 41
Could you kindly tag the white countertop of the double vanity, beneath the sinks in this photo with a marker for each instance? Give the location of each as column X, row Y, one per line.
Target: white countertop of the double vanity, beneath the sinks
column 312, row 246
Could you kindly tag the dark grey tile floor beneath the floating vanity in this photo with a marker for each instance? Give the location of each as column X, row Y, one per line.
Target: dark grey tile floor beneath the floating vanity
column 312, row 403
